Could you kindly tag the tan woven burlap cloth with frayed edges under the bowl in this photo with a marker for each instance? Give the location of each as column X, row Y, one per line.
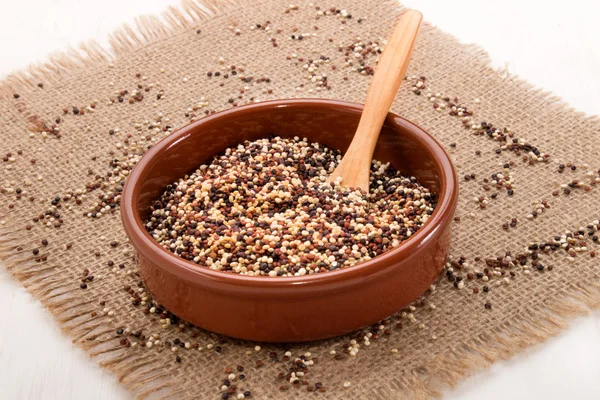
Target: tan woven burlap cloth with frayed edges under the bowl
column 439, row 345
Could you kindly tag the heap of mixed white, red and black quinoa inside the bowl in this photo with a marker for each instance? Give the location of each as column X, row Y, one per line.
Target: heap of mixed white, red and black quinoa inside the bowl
column 264, row 208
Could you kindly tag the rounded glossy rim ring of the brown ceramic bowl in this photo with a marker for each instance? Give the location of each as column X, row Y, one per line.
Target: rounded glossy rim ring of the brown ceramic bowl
column 147, row 246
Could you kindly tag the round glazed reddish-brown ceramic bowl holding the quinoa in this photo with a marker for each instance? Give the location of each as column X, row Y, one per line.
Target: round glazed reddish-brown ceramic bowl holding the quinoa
column 303, row 308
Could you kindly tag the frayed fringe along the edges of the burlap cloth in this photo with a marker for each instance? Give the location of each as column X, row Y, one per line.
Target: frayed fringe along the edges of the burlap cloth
column 139, row 373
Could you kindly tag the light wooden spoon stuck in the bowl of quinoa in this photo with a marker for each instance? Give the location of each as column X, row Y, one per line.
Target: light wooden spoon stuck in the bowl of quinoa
column 354, row 169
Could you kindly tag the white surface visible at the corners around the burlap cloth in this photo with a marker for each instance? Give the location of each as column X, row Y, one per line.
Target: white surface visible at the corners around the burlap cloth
column 553, row 44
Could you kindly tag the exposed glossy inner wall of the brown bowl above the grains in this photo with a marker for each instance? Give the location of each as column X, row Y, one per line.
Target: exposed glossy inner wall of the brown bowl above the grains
column 401, row 143
